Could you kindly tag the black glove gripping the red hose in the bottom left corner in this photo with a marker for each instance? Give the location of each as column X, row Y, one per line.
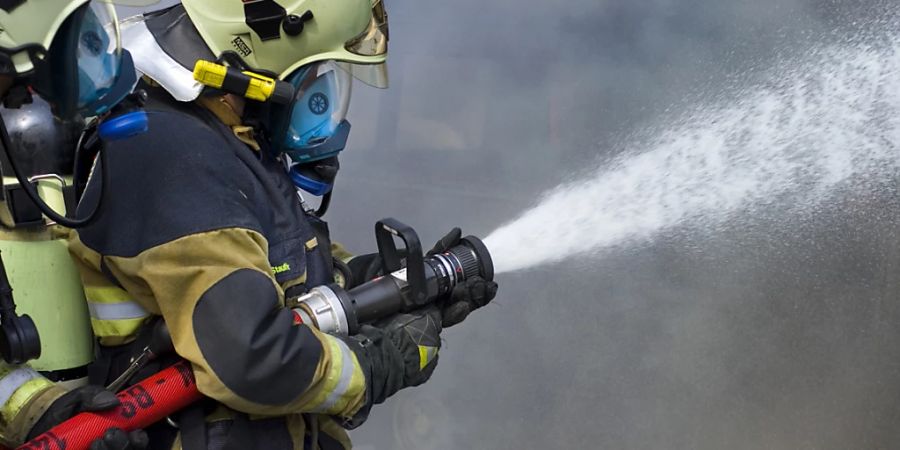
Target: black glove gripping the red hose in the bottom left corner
column 89, row 399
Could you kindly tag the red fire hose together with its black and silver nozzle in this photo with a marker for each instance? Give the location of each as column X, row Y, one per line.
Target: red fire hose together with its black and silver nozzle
column 329, row 308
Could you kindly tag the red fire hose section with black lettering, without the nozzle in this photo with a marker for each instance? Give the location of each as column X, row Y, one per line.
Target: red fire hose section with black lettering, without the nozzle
column 143, row 404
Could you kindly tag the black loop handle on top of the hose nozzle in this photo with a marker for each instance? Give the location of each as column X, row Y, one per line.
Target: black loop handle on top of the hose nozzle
column 385, row 230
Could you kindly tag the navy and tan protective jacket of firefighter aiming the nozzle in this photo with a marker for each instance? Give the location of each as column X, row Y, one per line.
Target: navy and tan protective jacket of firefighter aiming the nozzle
column 204, row 230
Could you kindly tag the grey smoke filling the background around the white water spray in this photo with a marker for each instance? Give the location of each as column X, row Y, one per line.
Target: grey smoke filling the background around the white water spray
column 775, row 330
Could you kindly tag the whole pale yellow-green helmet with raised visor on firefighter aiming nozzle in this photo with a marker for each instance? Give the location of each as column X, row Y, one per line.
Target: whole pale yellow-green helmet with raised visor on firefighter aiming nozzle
column 285, row 35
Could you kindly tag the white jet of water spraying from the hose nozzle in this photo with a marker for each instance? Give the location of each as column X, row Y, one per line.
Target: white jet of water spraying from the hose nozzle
column 829, row 121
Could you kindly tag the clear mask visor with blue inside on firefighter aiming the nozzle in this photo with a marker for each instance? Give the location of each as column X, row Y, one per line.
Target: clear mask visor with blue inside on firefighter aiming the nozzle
column 319, row 109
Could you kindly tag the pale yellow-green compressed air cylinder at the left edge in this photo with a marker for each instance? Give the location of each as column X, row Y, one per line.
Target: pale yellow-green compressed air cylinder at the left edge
column 47, row 287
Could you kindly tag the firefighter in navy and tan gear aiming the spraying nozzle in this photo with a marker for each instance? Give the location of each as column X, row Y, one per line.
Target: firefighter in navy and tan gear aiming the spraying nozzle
column 204, row 231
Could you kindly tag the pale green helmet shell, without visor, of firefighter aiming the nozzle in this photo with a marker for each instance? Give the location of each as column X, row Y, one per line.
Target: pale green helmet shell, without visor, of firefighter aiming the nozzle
column 334, row 23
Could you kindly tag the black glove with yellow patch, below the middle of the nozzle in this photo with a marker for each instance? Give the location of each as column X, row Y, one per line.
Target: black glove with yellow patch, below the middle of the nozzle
column 394, row 354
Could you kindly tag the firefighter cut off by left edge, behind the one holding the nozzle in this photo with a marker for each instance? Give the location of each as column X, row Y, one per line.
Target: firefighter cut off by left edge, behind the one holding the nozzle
column 68, row 53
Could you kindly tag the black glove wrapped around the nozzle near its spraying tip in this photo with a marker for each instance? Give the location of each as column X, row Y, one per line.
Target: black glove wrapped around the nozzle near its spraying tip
column 468, row 296
